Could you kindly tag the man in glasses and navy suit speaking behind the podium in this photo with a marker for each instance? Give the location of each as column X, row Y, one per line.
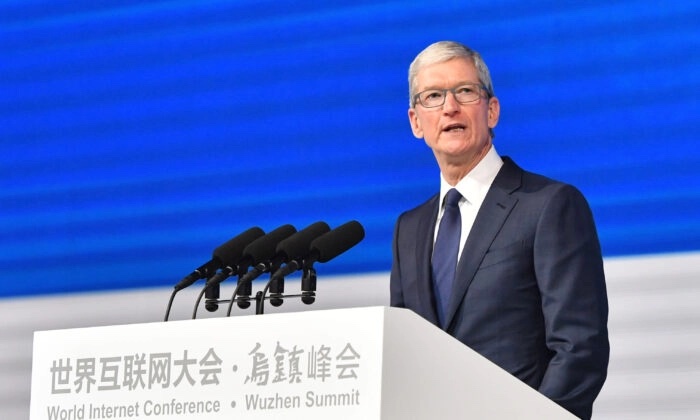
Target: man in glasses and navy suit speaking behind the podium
column 521, row 278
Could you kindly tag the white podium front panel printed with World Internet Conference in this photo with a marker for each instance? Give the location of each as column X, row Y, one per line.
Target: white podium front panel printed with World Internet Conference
column 254, row 367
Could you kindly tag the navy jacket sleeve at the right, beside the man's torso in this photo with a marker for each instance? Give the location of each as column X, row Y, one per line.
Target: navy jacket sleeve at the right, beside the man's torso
column 569, row 270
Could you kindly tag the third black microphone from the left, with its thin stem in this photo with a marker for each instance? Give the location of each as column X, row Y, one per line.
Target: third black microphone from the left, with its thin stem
column 296, row 247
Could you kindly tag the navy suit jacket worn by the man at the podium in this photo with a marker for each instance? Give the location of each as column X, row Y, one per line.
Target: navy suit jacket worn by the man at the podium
column 529, row 293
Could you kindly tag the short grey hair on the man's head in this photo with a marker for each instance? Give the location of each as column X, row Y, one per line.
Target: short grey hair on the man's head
column 440, row 52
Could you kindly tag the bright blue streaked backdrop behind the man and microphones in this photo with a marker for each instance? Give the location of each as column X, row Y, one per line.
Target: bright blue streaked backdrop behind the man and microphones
column 139, row 135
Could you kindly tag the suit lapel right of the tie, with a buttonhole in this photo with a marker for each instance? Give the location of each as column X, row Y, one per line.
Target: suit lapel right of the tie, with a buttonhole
column 493, row 213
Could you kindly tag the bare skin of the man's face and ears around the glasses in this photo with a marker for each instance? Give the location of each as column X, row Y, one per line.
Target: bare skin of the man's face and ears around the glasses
column 456, row 132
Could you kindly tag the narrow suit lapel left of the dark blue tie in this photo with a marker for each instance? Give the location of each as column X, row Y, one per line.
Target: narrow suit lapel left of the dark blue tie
column 424, row 249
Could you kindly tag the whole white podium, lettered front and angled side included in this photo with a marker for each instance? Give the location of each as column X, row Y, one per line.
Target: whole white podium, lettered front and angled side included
column 363, row 363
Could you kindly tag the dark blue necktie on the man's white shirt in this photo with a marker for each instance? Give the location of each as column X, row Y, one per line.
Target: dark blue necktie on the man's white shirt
column 446, row 252
